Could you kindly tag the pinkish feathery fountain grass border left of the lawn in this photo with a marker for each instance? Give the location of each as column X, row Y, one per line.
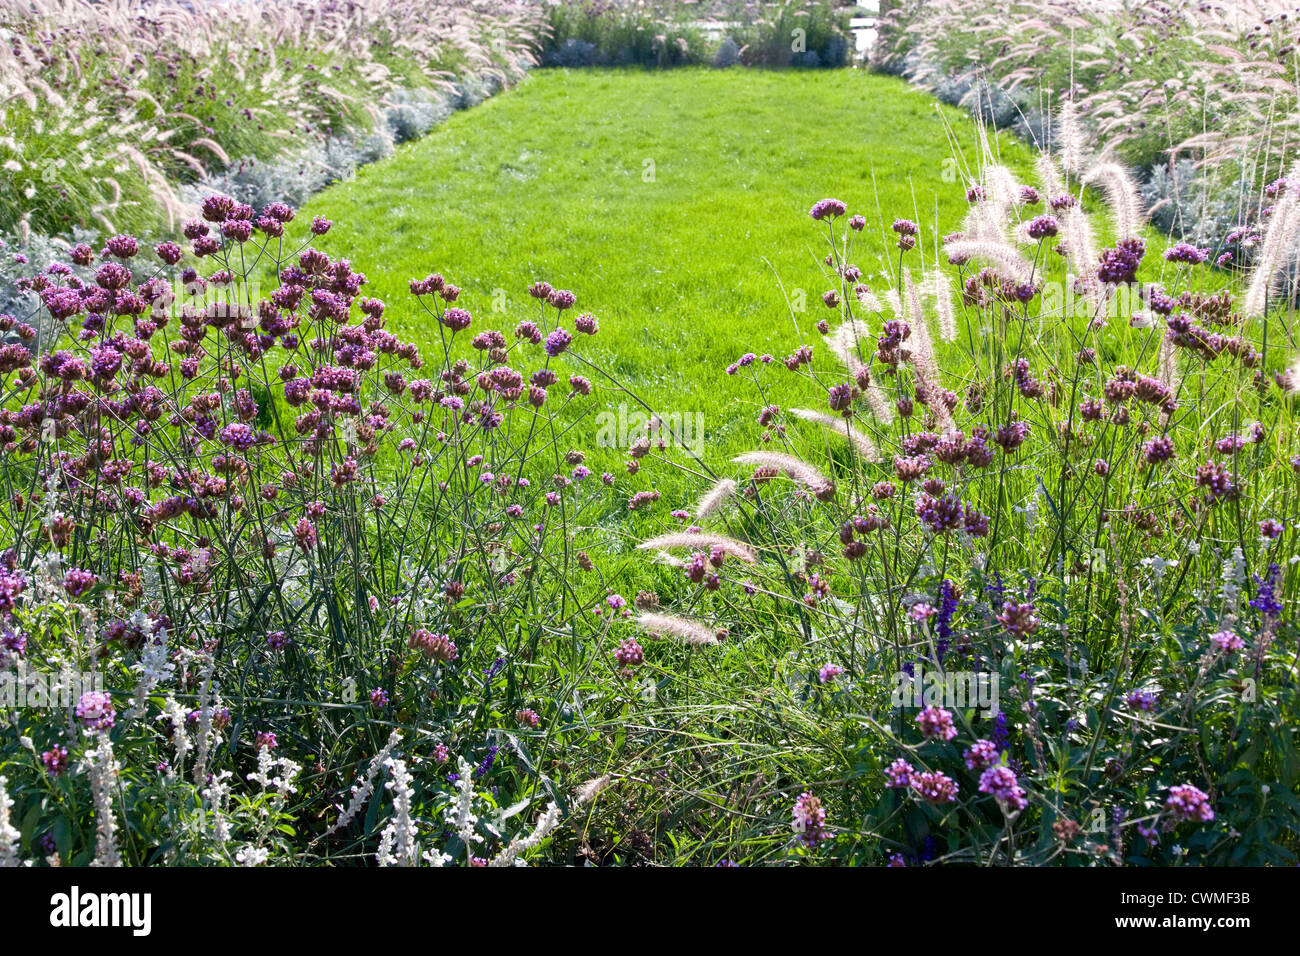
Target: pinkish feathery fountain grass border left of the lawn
column 103, row 126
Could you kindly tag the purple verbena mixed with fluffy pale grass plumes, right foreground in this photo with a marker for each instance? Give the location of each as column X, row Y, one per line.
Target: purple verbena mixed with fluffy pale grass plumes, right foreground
column 1025, row 572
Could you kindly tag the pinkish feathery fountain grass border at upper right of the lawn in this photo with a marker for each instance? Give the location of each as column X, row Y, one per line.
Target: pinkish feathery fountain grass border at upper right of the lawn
column 1194, row 96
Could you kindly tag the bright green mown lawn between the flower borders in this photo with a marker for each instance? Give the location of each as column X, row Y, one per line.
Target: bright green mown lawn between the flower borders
column 549, row 181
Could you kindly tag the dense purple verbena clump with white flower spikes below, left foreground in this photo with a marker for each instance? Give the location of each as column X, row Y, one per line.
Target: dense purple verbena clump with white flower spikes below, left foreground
column 257, row 547
